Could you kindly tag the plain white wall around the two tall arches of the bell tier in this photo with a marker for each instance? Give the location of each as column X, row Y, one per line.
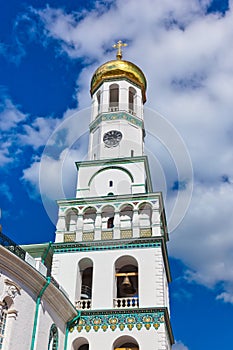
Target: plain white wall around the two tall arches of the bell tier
column 152, row 291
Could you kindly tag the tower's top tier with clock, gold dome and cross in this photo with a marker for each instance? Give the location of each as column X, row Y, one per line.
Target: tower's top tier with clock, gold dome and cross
column 118, row 91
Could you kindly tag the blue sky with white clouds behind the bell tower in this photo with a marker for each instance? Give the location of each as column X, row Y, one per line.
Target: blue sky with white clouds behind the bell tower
column 48, row 53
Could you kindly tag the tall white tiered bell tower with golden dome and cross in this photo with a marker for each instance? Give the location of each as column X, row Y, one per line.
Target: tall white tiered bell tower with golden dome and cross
column 110, row 252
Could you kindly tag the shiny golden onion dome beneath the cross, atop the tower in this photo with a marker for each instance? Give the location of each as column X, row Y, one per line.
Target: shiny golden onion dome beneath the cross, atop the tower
column 118, row 69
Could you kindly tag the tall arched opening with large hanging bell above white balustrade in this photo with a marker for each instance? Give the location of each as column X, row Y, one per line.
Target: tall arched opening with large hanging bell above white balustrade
column 126, row 277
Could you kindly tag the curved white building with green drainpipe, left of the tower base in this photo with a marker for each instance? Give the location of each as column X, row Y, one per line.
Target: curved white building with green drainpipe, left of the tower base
column 20, row 286
